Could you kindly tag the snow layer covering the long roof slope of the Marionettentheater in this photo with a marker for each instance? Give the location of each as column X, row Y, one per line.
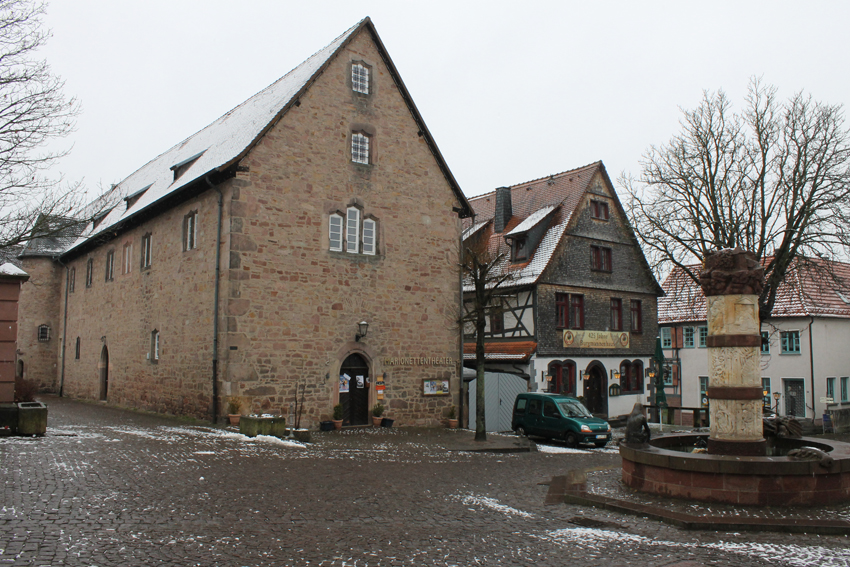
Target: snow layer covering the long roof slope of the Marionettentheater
column 215, row 146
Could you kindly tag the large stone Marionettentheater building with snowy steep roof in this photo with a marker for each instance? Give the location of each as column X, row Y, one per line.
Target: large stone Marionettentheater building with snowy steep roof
column 241, row 261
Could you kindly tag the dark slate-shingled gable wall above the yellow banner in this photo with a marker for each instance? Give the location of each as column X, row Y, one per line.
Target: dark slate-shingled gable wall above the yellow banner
column 570, row 272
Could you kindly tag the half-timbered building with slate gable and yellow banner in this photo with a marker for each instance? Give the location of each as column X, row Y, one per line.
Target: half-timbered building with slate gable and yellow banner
column 580, row 306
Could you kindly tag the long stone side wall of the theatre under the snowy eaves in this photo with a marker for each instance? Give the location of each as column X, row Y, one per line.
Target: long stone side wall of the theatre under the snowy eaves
column 174, row 296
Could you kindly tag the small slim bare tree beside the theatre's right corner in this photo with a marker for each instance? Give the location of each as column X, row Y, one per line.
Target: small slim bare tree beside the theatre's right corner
column 485, row 274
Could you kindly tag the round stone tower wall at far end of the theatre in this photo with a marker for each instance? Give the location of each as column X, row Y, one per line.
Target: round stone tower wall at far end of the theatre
column 41, row 298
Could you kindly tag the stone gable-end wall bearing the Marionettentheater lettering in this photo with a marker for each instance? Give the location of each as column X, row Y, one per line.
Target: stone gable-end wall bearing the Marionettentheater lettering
column 293, row 306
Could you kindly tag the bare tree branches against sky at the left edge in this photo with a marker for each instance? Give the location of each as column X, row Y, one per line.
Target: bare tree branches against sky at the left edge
column 33, row 112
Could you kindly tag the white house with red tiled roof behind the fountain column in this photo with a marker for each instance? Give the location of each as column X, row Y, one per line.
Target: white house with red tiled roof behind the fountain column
column 804, row 358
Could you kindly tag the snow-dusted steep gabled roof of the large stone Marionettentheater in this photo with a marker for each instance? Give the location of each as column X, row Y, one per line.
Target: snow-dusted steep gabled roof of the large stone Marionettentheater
column 227, row 140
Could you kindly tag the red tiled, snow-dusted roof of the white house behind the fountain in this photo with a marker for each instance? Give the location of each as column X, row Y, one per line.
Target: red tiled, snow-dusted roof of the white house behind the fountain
column 812, row 288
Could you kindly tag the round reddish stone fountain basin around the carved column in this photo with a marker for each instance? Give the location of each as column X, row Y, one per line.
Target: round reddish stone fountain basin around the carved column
column 662, row 467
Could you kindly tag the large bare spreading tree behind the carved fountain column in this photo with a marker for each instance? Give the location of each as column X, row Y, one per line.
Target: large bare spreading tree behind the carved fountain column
column 773, row 179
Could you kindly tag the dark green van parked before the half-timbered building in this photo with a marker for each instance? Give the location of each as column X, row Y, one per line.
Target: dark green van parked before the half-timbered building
column 555, row 416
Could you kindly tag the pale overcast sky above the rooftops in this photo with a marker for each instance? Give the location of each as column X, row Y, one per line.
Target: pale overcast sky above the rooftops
column 511, row 91
